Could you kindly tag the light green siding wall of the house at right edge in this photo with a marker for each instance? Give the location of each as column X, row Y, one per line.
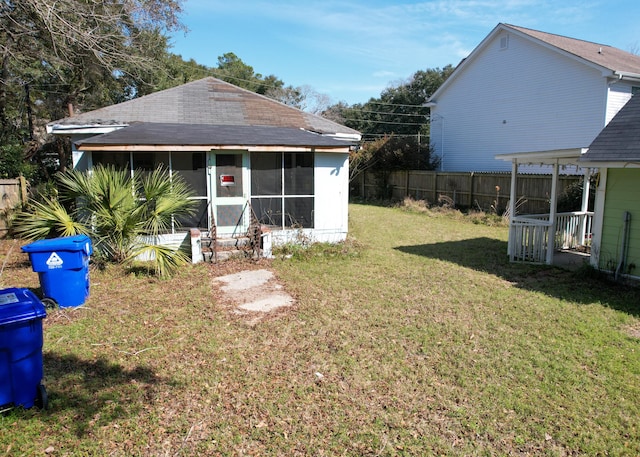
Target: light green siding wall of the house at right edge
column 622, row 195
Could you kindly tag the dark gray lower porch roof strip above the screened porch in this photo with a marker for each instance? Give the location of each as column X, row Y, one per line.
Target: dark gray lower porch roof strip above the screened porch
column 212, row 135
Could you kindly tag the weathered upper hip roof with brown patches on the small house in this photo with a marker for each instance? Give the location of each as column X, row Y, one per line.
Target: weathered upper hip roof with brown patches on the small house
column 207, row 101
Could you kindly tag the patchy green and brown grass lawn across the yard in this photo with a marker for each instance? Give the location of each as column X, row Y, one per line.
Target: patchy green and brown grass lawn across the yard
column 421, row 340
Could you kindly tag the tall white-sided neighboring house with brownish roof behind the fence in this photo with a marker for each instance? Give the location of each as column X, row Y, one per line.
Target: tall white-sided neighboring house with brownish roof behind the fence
column 526, row 90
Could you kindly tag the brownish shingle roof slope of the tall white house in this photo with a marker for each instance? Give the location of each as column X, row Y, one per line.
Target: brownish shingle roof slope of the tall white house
column 606, row 56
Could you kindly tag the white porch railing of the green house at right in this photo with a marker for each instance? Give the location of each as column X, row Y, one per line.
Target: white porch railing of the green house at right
column 529, row 235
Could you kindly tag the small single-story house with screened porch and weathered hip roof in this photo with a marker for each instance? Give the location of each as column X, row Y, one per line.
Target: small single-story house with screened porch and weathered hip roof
column 242, row 154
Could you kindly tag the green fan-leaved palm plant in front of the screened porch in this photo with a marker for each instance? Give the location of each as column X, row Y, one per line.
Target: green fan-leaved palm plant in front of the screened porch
column 124, row 214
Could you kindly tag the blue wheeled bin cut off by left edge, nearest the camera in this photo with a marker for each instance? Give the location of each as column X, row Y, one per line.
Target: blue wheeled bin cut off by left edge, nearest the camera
column 21, row 314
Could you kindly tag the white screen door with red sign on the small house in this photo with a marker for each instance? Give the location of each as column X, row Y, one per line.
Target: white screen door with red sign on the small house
column 229, row 191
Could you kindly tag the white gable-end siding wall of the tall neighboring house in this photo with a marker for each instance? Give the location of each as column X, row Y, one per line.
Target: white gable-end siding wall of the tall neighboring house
column 519, row 99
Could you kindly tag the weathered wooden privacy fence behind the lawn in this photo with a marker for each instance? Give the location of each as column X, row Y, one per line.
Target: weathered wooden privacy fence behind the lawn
column 484, row 191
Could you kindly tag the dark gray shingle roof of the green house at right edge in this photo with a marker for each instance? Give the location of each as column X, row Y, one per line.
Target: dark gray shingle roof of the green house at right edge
column 619, row 141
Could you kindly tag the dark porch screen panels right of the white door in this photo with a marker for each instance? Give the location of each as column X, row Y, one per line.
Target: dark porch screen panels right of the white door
column 282, row 188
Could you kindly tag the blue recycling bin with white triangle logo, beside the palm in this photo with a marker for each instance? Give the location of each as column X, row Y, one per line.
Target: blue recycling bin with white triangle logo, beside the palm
column 62, row 265
